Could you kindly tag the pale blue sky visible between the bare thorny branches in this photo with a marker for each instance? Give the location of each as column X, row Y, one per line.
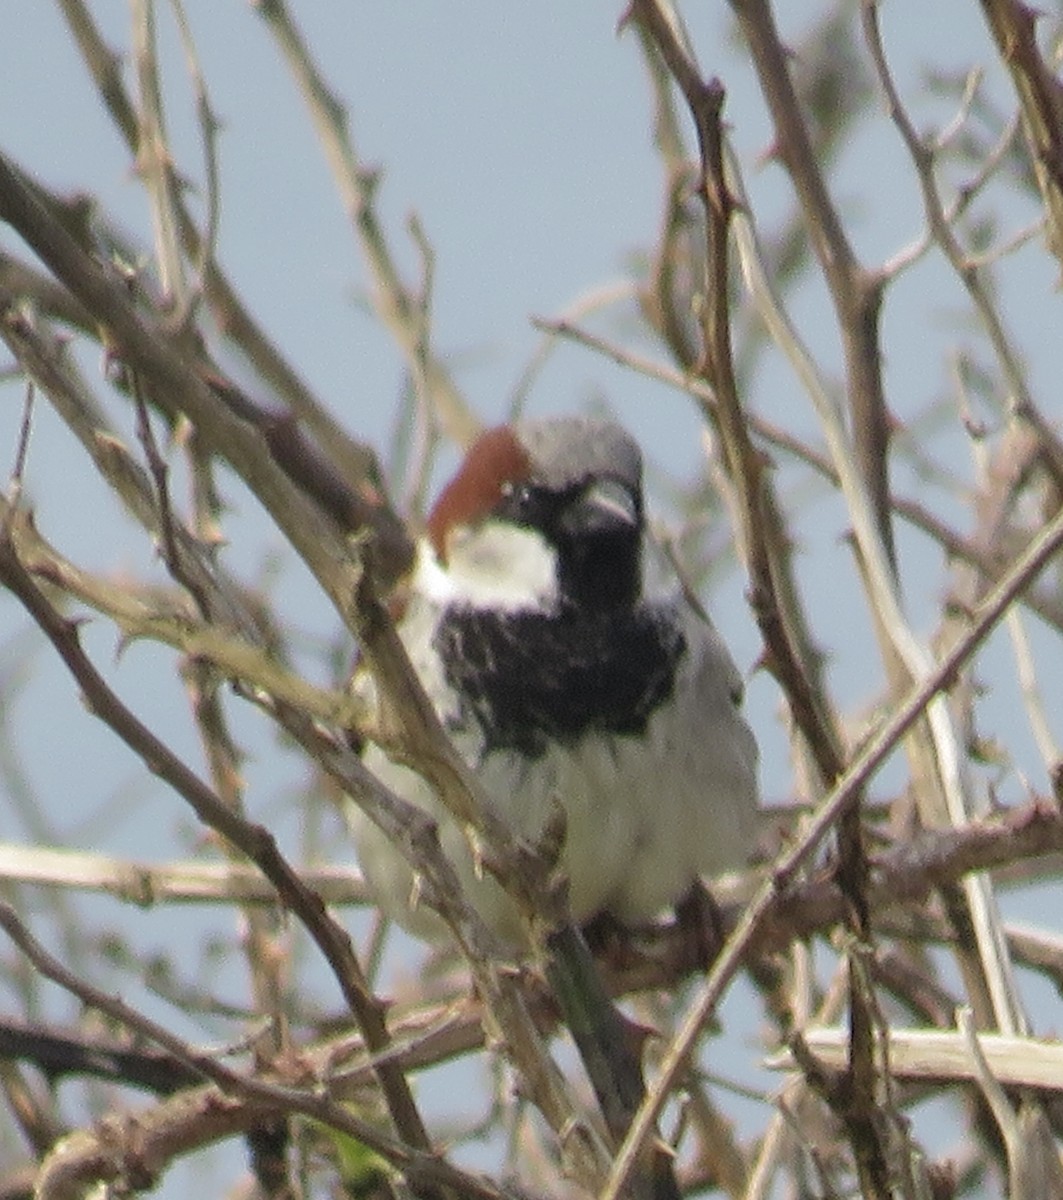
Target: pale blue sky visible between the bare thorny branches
column 520, row 135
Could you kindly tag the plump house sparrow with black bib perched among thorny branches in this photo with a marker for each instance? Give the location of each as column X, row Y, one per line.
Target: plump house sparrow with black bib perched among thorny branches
column 562, row 682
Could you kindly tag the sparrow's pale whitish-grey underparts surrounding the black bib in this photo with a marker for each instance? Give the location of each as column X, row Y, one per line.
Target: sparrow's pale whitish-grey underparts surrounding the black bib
column 646, row 815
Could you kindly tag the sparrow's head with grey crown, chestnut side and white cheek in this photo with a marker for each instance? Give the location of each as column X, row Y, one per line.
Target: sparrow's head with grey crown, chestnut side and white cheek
column 542, row 514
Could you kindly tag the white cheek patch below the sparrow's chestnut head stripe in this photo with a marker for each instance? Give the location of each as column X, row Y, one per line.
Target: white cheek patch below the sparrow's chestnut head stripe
column 494, row 566
